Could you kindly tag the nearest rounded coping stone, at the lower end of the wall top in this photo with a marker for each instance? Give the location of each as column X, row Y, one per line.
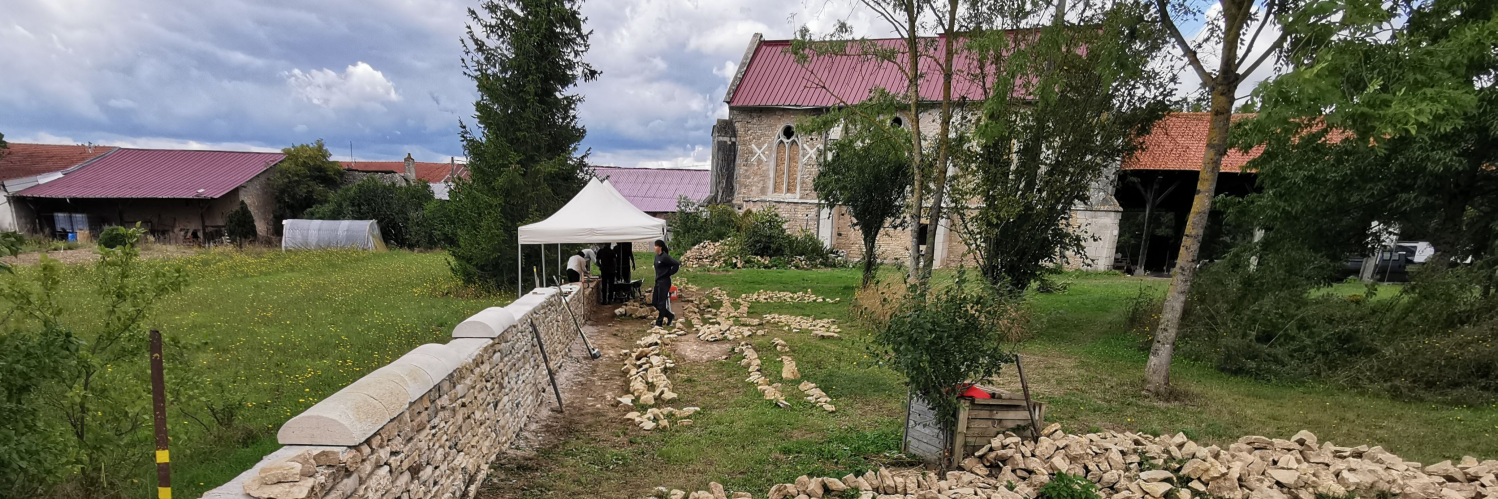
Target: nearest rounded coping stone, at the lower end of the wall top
column 344, row 419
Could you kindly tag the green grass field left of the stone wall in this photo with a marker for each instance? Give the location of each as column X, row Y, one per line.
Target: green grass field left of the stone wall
column 272, row 333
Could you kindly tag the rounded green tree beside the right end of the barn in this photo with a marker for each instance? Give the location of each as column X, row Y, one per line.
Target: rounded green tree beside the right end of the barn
column 305, row 179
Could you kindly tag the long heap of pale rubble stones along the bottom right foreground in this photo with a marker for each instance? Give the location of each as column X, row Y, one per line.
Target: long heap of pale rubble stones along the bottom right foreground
column 1142, row 467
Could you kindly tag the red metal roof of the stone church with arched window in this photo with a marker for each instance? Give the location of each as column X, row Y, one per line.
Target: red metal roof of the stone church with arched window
column 774, row 77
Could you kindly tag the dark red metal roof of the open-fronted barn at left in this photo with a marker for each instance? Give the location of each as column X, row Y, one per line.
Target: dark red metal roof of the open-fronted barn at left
column 148, row 173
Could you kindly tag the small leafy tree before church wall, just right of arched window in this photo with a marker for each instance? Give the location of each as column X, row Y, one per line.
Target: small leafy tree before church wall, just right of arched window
column 870, row 176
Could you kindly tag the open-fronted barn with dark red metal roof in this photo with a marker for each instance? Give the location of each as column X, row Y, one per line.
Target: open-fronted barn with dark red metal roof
column 178, row 196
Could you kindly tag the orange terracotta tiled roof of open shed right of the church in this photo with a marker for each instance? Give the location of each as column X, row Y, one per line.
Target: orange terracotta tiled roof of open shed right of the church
column 1180, row 142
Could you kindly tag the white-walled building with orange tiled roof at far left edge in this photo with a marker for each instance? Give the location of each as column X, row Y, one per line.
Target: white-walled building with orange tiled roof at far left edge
column 26, row 166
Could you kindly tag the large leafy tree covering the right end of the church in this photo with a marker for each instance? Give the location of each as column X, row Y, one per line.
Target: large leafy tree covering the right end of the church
column 1067, row 104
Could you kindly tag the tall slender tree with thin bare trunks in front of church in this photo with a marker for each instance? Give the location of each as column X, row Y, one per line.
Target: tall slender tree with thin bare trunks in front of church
column 927, row 31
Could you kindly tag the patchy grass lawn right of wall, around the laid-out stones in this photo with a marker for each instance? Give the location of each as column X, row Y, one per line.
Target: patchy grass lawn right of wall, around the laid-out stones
column 1082, row 363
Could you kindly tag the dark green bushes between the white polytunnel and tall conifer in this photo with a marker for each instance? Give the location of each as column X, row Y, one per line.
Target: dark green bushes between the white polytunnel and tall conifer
column 399, row 211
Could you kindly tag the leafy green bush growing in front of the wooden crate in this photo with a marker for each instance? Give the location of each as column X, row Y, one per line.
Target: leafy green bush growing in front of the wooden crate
column 950, row 336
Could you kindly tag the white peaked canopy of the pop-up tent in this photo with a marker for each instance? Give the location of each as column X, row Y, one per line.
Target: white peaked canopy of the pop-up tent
column 597, row 215
